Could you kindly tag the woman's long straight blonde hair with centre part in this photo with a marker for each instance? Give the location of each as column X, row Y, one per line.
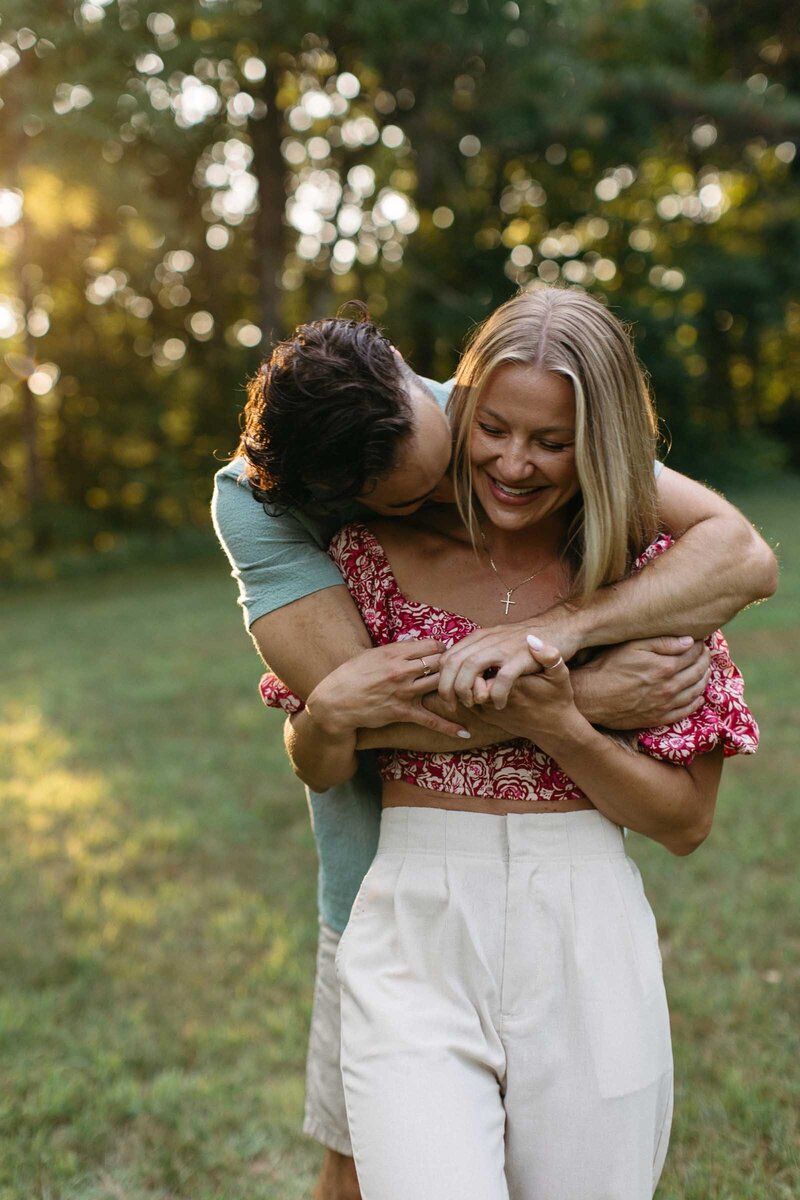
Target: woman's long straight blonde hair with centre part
column 573, row 334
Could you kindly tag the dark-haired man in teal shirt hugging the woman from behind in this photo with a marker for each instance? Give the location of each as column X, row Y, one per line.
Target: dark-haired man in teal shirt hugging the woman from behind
column 338, row 425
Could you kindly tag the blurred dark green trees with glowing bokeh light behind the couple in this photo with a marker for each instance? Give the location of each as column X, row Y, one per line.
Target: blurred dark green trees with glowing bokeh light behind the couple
column 182, row 183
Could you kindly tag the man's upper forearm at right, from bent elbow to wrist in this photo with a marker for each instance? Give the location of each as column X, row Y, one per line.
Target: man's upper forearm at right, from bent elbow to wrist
column 695, row 587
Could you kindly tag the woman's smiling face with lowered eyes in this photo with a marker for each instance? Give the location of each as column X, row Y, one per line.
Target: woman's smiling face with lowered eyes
column 522, row 448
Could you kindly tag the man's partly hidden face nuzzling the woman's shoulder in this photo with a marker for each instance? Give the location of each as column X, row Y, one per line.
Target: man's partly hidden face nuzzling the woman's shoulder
column 422, row 464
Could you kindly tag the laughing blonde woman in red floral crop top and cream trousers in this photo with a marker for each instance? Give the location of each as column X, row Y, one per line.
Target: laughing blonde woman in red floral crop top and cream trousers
column 504, row 1023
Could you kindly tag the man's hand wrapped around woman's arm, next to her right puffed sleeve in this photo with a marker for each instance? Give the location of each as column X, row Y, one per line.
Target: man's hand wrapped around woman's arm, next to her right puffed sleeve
column 636, row 686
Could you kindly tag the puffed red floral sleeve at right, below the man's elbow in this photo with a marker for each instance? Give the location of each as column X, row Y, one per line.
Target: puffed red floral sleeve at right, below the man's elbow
column 724, row 719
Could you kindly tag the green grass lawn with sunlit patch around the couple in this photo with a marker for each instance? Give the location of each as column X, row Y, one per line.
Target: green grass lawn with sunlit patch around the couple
column 159, row 881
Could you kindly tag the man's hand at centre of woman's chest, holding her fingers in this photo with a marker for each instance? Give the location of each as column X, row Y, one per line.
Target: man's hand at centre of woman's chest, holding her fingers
column 503, row 649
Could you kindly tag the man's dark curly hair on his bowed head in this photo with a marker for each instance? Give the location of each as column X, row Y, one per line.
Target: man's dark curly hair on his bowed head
column 326, row 415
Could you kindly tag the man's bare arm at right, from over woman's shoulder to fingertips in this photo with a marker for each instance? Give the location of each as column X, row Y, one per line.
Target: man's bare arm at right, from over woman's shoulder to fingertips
column 718, row 567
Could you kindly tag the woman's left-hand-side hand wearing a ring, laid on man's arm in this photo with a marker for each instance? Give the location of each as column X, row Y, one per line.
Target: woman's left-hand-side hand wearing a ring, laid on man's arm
column 382, row 687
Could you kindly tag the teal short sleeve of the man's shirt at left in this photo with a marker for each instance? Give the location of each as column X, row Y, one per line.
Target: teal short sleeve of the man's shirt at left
column 275, row 560
